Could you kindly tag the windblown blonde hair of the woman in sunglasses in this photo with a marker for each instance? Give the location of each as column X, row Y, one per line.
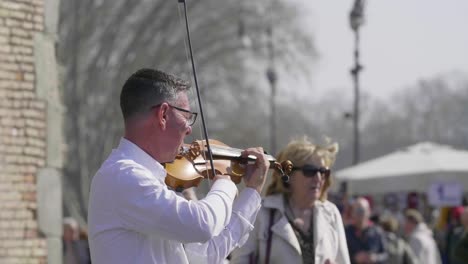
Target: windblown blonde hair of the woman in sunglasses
column 300, row 151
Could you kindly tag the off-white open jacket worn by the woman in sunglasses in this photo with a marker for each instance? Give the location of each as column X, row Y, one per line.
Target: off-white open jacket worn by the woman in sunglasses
column 329, row 236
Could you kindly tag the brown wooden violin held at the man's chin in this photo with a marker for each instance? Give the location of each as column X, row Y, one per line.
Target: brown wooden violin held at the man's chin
column 191, row 165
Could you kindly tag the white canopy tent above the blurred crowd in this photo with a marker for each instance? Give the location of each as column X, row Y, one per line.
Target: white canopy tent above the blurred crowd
column 413, row 168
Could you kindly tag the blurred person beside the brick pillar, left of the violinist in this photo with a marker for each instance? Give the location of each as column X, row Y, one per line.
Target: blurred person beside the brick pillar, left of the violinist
column 75, row 246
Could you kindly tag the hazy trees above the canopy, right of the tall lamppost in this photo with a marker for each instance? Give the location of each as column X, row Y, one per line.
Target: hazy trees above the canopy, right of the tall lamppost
column 433, row 109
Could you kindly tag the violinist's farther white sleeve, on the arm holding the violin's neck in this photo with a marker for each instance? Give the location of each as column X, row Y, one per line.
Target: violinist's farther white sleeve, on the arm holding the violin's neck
column 235, row 234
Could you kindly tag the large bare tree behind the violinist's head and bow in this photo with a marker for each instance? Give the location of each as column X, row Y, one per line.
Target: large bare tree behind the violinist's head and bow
column 104, row 41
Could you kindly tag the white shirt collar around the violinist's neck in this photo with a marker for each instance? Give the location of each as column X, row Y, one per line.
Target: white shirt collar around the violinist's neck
column 140, row 156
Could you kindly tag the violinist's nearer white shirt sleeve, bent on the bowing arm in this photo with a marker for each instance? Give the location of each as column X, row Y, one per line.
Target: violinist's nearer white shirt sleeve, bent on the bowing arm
column 147, row 206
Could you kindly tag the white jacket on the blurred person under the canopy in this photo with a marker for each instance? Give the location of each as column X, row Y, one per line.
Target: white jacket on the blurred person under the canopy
column 423, row 245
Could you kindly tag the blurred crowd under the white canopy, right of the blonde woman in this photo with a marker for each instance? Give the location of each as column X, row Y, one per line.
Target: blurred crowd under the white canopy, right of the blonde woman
column 405, row 236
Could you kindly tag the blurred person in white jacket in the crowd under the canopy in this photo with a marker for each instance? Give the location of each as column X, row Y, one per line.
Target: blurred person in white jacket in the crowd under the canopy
column 420, row 238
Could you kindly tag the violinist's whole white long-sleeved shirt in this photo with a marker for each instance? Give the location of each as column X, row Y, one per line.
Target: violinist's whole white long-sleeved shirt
column 134, row 218
